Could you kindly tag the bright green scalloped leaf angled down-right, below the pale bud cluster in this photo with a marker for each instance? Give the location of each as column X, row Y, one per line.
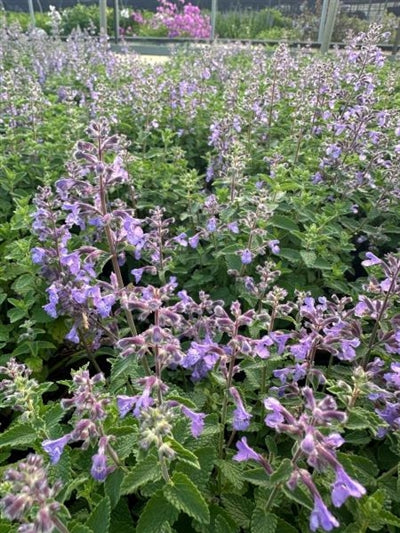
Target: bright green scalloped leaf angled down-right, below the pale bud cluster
column 186, row 497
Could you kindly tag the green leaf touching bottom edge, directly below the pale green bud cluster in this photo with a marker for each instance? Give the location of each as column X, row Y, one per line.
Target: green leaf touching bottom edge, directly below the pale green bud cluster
column 157, row 512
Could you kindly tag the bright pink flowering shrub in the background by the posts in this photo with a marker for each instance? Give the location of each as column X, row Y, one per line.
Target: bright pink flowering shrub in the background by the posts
column 187, row 22
